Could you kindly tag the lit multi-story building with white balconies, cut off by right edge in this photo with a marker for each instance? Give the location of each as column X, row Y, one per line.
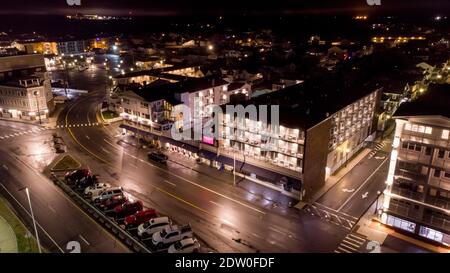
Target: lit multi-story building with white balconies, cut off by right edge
column 417, row 197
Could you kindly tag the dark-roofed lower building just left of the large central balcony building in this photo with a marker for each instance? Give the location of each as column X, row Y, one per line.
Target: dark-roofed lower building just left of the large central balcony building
column 153, row 103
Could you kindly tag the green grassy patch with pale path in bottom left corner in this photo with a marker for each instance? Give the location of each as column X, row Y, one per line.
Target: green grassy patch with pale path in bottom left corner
column 14, row 236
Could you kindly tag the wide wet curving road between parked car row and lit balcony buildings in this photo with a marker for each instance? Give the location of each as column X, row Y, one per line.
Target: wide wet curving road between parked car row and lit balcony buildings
column 220, row 214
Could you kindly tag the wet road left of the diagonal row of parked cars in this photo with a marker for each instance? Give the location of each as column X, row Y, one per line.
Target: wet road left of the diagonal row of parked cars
column 59, row 220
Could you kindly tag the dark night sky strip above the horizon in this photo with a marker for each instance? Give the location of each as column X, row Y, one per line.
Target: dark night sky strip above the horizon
column 176, row 7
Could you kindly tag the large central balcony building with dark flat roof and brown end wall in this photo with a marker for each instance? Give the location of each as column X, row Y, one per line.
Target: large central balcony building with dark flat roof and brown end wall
column 314, row 137
